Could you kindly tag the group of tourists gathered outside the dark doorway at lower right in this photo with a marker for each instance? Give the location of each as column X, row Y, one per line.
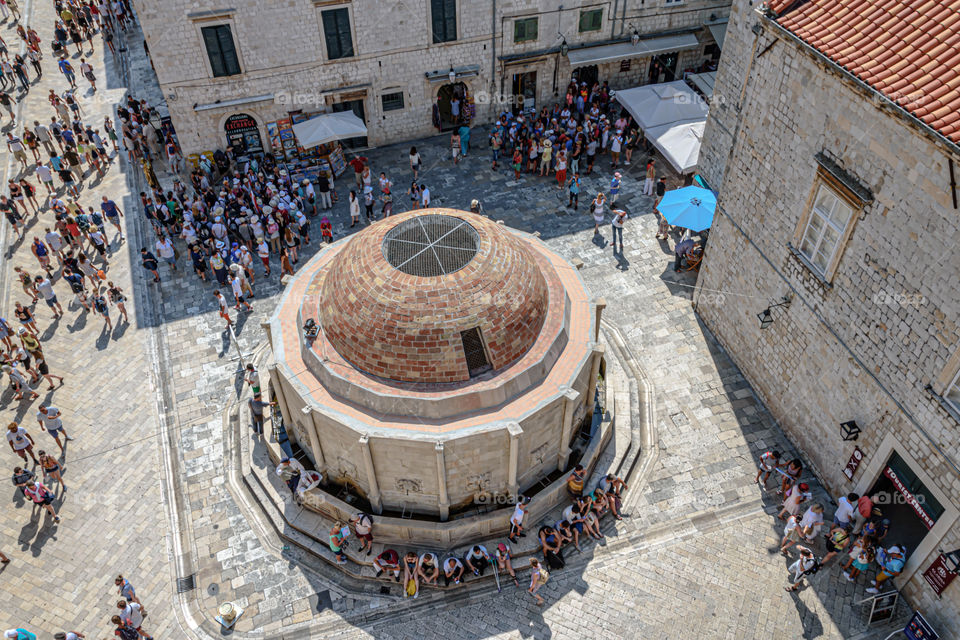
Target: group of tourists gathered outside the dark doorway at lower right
column 855, row 535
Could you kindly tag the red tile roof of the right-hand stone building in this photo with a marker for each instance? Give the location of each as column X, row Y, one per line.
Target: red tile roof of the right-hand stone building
column 909, row 50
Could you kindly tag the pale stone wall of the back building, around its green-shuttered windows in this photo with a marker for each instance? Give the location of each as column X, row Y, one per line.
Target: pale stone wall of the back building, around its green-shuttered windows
column 283, row 54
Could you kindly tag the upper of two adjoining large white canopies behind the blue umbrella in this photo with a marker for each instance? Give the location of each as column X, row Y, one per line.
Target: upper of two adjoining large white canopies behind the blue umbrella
column 654, row 105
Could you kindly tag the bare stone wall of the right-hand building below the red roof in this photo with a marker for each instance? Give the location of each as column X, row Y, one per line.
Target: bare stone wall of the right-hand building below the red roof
column 865, row 346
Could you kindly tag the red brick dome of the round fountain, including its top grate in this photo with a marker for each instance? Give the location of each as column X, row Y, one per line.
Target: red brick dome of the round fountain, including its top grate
column 433, row 295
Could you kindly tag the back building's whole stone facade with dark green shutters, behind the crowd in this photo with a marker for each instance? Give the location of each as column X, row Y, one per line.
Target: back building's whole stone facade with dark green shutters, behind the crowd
column 390, row 60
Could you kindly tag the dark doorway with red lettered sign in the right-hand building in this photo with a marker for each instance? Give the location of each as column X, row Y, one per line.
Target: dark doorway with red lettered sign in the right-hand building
column 906, row 503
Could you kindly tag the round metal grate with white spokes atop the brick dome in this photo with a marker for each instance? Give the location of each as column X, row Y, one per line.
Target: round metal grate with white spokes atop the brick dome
column 431, row 245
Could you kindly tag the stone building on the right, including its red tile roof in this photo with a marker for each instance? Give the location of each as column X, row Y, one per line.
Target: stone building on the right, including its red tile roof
column 837, row 213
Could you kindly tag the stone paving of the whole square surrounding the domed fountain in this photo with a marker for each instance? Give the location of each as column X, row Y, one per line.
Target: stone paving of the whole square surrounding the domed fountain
column 710, row 576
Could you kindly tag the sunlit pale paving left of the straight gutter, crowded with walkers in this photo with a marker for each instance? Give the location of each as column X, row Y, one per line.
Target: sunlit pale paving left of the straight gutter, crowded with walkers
column 61, row 575
